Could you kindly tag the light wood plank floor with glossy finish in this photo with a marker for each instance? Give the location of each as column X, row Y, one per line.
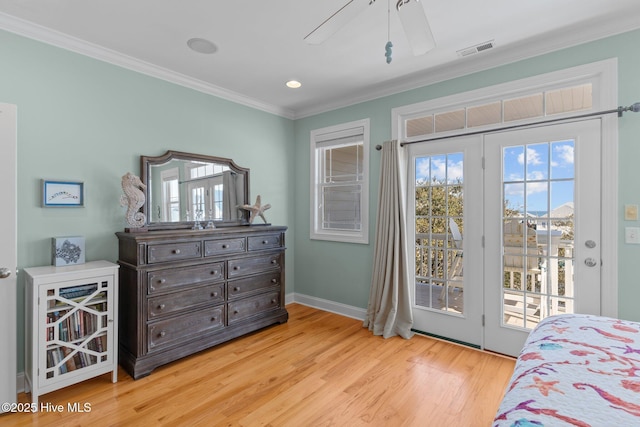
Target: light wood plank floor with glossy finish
column 319, row 369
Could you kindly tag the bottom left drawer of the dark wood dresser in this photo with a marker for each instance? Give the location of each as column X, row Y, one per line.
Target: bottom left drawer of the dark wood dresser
column 183, row 328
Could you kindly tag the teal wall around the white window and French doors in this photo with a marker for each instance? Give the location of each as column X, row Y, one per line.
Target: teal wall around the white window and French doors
column 342, row 272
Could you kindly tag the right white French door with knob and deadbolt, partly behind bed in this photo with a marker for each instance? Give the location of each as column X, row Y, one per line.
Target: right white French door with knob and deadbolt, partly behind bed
column 542, row 227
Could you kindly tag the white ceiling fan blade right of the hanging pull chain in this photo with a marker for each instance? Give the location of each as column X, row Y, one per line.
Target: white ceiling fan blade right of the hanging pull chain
column 416, row 26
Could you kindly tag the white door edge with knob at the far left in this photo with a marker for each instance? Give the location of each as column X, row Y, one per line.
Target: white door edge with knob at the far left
column 8, row 257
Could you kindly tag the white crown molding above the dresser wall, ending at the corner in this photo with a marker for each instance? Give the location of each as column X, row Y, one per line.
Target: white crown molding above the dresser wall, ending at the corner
column 65, row 41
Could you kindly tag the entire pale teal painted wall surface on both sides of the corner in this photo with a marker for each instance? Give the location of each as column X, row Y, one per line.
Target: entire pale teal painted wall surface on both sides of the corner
column 79, row 118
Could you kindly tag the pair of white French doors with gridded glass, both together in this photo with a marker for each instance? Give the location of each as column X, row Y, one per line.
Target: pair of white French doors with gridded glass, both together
column 510, row 244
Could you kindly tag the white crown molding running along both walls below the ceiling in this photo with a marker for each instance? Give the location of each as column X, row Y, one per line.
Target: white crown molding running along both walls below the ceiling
column 564, row 38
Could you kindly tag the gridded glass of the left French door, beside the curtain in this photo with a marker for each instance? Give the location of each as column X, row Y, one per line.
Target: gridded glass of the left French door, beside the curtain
column 439, row 229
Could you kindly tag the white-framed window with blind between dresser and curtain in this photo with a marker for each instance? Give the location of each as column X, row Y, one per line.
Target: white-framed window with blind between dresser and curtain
column 340, row 182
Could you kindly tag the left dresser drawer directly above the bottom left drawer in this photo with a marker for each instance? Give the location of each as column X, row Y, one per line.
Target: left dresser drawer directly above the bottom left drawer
column 166, row 304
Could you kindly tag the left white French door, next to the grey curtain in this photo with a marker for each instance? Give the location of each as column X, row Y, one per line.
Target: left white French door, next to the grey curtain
column 445, row 180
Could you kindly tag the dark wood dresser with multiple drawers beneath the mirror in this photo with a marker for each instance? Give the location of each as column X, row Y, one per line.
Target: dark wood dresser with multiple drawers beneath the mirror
column 182, row 291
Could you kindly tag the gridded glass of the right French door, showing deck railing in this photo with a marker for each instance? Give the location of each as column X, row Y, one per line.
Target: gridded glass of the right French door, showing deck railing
column 538, row 218
